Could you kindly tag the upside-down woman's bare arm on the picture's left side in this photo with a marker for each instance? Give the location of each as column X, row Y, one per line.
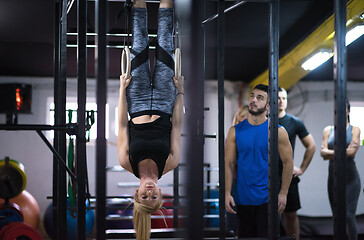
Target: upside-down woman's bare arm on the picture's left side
column 123, row 135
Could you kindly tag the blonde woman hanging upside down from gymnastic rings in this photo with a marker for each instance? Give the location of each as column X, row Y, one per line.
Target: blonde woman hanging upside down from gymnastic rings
column 149, row 143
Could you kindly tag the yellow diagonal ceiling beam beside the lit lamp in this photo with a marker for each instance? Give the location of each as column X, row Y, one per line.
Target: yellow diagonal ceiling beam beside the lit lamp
column 290, row 70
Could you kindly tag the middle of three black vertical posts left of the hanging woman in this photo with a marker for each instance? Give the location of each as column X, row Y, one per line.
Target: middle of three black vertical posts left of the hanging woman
column 81, row 101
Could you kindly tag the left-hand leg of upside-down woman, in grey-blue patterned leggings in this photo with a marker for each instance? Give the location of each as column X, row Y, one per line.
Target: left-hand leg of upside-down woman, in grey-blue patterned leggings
column 139, row 90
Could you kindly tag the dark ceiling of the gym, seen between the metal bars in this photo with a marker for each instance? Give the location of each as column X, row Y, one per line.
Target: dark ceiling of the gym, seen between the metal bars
column 27, row 36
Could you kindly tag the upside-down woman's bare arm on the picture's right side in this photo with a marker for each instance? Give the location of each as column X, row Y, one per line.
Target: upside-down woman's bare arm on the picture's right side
column 177, row 119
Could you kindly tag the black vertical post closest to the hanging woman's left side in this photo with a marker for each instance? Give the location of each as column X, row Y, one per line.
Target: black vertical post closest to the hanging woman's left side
column 101, row 65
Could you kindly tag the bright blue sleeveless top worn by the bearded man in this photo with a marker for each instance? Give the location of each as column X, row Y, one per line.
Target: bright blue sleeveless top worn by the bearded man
column 252, row 163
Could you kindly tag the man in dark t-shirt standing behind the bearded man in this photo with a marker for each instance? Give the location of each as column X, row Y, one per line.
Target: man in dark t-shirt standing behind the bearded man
column 294, row 127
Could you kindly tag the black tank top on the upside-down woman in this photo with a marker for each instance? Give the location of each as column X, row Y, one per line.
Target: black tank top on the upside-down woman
column 150, row 140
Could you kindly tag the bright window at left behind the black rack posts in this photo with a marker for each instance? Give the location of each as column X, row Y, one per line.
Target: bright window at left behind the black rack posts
column 89, row 106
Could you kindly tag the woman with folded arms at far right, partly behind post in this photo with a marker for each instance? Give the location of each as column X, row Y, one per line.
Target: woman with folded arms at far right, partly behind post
column 353, row 185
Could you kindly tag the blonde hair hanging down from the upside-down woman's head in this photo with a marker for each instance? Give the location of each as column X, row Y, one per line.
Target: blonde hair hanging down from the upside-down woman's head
column 142, row 218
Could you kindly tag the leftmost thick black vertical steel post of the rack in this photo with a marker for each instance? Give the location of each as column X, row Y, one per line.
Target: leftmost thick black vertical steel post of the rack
column 60, row 71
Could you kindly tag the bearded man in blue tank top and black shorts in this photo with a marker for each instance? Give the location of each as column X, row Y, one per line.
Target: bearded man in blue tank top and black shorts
column 246, row 154
